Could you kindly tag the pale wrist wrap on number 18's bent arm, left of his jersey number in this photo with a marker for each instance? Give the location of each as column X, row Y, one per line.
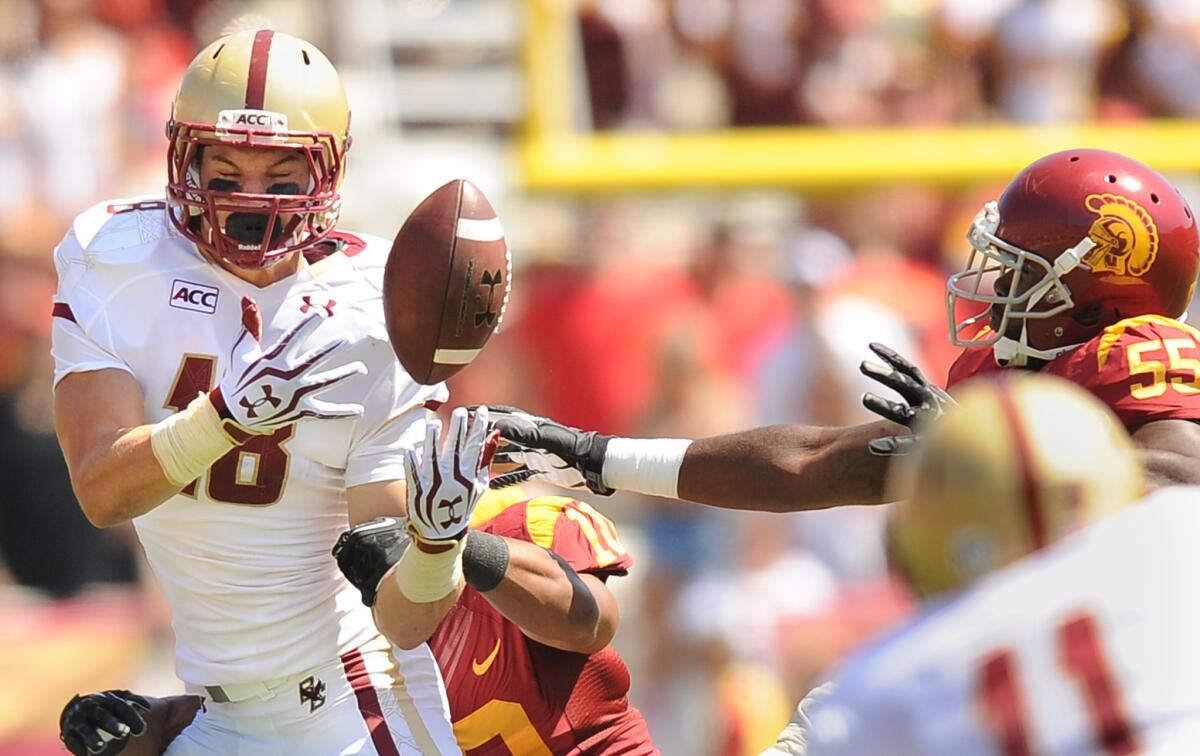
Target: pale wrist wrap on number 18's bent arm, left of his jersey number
column 189, row 442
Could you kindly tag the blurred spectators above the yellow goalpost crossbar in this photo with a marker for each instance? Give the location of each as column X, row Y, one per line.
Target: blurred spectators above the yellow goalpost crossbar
column 703, row 64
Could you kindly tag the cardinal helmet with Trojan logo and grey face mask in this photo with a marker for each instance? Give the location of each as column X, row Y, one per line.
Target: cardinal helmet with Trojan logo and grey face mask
column 1078, row 242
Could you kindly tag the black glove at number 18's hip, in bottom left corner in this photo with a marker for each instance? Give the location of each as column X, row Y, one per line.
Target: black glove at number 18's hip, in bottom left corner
column 101, row 724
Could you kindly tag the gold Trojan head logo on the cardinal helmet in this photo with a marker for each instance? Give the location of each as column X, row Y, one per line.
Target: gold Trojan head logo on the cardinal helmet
column 1125, row 235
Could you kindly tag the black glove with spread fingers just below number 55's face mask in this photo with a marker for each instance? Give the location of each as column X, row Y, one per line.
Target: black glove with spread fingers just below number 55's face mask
column 923, row 401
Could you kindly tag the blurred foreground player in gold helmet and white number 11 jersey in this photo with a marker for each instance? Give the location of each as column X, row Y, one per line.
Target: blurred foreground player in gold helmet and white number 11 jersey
column 1066, row 637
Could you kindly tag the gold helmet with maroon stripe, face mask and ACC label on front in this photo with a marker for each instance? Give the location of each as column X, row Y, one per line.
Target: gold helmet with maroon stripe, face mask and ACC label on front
column 260, row 89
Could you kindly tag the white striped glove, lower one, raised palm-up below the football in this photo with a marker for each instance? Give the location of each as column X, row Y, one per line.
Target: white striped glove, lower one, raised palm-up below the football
column 445, row 488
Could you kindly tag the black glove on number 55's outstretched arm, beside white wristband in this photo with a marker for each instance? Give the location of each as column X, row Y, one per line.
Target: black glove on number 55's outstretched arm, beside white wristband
column 550, row 452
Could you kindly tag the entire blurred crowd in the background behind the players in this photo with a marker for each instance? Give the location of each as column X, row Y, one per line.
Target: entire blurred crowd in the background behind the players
column 641, row 316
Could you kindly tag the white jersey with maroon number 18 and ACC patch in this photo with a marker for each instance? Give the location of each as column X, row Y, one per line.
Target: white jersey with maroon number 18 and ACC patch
column 244, row 554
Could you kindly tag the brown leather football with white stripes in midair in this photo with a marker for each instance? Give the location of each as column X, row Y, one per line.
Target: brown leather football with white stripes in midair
column 447, row 283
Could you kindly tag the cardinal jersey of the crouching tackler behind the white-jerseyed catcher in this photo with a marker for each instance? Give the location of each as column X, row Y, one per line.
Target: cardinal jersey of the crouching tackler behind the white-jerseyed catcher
column 513, row 695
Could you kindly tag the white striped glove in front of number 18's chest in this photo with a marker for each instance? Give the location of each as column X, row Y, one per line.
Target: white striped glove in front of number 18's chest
column 266, row 391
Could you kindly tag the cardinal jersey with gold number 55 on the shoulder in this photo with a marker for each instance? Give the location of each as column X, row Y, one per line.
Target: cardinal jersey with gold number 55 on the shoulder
column 1145, row 369
